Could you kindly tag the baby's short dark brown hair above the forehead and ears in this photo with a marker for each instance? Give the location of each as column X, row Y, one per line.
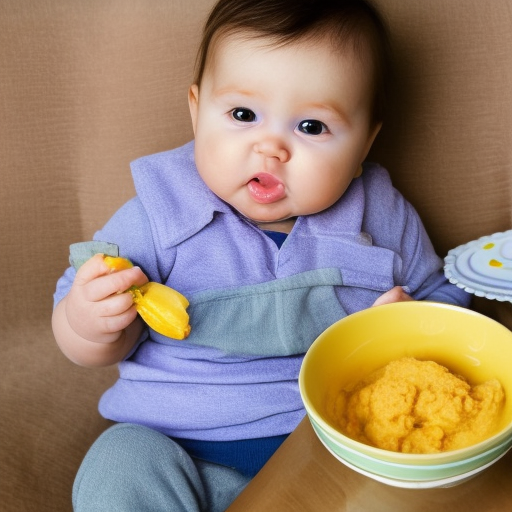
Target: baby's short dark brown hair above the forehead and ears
column 348, row 24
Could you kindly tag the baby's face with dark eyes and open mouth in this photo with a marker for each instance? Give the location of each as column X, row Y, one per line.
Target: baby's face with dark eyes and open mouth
column 281, row 131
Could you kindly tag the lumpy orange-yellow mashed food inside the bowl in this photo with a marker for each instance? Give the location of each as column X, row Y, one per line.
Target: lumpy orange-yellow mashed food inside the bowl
column 414, row 406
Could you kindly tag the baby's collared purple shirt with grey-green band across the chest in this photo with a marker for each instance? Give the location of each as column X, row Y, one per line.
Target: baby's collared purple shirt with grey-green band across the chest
column 254, row 308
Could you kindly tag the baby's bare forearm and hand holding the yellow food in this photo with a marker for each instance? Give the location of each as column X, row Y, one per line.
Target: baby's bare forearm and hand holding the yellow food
column 96, row 324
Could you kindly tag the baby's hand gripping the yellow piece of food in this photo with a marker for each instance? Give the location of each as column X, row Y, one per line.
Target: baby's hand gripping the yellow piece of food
column 96, row 307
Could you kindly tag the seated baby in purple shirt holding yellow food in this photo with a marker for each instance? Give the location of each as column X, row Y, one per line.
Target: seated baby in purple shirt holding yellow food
column 272, row 226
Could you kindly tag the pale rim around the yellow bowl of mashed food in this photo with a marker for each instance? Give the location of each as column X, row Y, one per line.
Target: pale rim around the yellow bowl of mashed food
column 401, row 458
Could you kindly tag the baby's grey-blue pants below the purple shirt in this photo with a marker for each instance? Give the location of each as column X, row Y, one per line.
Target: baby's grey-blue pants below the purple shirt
column 135, row 469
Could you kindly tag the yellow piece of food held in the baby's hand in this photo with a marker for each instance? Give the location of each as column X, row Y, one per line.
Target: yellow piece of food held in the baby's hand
column 161, row 307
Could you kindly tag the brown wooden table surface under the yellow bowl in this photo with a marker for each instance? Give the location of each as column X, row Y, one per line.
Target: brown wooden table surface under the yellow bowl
column 303, row 476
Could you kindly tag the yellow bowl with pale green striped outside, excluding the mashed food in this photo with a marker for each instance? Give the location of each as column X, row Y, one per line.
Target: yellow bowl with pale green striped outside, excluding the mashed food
column 466, row 342
